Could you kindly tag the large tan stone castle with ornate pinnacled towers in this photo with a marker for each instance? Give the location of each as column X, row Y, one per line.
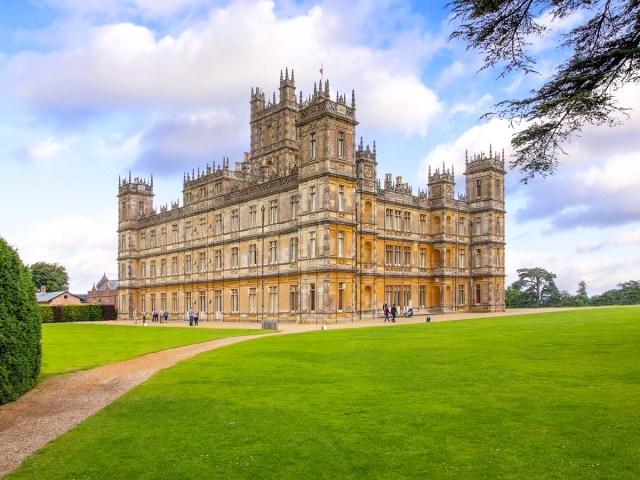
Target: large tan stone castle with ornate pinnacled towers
column 303, row 231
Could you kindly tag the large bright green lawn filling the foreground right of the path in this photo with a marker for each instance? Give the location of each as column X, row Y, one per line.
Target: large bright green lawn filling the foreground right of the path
column 549, row 396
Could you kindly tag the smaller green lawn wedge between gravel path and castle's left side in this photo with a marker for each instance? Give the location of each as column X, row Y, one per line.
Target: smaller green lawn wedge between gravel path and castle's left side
column 68, row 347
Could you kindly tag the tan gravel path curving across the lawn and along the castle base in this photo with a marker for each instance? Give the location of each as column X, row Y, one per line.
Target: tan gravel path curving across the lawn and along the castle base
column 59, row 403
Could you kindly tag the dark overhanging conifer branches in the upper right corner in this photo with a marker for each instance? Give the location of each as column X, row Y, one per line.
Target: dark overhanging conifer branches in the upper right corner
column 604, row 56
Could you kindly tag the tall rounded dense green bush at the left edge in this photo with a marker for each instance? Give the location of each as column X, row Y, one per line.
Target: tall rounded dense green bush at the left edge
column 20, row 328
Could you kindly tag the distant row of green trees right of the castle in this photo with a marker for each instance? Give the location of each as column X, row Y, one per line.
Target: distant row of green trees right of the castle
column 536, row 288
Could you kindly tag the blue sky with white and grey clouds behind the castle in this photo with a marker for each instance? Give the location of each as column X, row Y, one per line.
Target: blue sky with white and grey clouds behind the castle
column 90, row 90
